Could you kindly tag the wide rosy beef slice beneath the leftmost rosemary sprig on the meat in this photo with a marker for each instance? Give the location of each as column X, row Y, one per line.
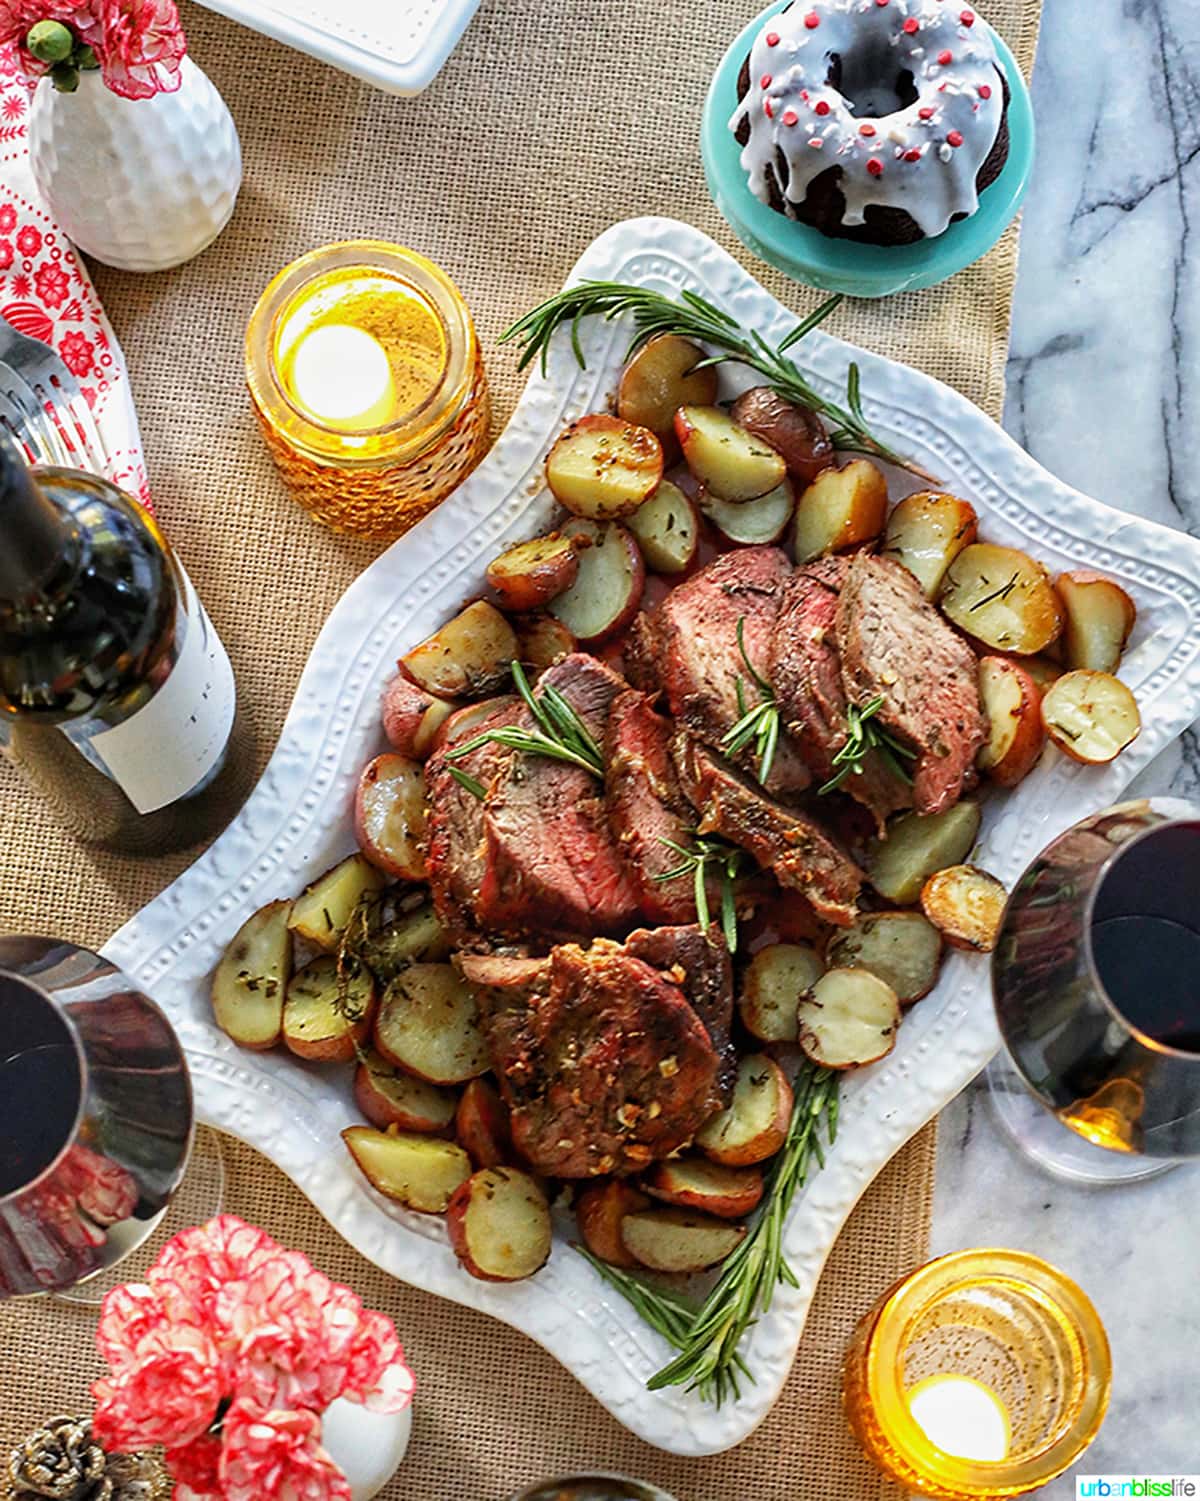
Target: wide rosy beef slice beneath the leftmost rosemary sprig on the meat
column 552, row 865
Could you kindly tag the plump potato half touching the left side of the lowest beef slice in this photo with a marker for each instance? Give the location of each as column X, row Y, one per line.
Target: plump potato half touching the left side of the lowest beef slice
column 429, row 1026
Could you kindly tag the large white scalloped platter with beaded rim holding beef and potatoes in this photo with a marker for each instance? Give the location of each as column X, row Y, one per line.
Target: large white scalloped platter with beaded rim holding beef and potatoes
column 298, row 823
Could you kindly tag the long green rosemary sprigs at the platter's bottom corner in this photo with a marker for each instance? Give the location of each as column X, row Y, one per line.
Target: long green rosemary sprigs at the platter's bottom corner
column 710, row 1338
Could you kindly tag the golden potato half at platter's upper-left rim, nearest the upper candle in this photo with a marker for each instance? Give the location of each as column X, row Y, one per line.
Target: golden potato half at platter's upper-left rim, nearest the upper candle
column 605, row 468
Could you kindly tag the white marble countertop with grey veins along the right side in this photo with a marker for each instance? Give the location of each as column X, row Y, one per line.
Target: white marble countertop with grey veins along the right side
column 1105, row 390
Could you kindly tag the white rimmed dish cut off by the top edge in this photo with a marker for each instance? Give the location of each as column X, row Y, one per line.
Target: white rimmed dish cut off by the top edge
column 399, row 46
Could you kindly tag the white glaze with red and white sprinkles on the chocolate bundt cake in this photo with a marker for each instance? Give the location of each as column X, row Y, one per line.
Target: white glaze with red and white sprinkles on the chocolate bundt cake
column 923, row 158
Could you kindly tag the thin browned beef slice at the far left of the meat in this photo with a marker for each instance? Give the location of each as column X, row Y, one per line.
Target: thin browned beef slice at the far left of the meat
column 454, row 837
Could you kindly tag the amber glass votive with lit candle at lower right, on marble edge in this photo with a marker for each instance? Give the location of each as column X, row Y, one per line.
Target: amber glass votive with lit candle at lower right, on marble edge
column 987, row 1353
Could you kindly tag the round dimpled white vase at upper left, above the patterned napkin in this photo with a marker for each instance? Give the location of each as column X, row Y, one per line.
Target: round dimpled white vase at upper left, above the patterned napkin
column 139, row 184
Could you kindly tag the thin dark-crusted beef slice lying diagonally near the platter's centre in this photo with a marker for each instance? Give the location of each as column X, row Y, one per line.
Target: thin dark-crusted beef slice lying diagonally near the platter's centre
column 789, row 843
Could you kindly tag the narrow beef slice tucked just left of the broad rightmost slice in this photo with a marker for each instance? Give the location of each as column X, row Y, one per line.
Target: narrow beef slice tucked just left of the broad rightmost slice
column 806, row 673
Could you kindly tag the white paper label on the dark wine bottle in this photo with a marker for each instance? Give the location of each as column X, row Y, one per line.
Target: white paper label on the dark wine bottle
column 176, row 742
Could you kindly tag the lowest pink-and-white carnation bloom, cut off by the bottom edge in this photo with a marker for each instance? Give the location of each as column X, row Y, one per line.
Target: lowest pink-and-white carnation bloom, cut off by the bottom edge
column 277, row 1455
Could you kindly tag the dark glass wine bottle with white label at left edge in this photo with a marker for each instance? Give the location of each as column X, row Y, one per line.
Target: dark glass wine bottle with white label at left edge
column 116, row 697
